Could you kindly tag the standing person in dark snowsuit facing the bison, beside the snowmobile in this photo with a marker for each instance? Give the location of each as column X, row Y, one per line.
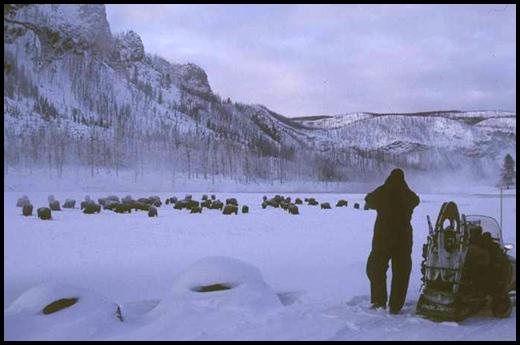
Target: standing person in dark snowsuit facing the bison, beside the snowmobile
column 394, row 202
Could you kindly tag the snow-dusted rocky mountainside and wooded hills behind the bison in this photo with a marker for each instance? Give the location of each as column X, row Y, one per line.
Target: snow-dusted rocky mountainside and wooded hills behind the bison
column 104, row 102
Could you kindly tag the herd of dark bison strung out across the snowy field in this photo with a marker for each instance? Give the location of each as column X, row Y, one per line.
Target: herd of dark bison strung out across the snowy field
column 150, row 205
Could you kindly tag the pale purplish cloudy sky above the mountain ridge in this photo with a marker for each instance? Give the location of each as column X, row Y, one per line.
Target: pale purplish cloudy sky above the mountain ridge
column 332, row 59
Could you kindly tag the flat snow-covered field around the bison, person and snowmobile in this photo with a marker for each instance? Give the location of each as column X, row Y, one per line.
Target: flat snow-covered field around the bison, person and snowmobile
column 299, row 277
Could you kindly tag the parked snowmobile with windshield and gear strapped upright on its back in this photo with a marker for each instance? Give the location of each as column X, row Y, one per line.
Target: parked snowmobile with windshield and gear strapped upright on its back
column 465, row 266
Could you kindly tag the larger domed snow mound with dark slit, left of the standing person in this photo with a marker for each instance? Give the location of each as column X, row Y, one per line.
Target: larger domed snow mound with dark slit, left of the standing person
column 243, row 283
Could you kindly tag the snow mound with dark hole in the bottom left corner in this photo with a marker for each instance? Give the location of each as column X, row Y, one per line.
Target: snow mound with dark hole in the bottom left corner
column 89, row 317
